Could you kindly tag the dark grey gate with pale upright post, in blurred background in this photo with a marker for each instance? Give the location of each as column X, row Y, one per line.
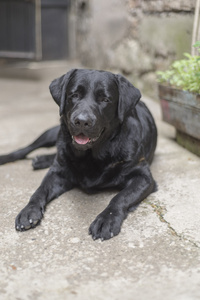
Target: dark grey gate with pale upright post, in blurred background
column 34, row 29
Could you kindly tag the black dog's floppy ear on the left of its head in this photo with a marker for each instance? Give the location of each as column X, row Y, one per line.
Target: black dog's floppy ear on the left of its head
column 58, row 89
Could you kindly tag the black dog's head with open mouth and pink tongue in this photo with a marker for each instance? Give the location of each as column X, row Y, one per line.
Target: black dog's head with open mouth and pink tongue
column 93, row 103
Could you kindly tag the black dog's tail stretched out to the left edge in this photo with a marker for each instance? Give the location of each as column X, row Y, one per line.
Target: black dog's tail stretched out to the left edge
column 47, row 139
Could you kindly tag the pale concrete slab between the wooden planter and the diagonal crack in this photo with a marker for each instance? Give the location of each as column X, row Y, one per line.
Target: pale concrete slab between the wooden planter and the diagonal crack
column 182, row 169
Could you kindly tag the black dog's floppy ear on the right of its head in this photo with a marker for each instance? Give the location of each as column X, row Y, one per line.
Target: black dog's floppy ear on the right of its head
column 128, row 96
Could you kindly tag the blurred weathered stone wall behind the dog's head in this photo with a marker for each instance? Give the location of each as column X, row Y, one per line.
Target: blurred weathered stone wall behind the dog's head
column 134, row 37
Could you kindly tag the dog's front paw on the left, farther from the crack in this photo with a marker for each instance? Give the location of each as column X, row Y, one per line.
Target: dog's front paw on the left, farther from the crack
column 29, row 217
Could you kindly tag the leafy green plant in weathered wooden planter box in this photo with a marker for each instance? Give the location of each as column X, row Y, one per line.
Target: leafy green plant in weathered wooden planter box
column 179, row 94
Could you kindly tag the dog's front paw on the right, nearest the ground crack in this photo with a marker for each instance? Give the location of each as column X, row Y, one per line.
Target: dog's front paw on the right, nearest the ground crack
column 106, row 225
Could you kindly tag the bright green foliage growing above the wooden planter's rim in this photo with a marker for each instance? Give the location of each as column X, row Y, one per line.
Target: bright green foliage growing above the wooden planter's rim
column 184, row 74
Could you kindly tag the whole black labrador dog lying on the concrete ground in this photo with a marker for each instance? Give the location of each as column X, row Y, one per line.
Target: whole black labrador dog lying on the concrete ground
column 106, row 139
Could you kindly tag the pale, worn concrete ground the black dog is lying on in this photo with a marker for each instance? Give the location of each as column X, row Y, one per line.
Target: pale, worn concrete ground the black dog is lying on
column 156, row 255
